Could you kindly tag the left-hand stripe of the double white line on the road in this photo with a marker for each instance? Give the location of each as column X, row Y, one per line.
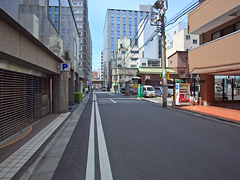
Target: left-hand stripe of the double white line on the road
column 90, row 172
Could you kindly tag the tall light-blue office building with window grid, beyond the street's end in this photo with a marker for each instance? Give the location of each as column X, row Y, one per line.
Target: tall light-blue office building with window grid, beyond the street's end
column 119, row 24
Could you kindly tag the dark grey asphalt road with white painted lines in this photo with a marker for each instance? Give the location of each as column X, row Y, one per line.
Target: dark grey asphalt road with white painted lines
column 131, row 139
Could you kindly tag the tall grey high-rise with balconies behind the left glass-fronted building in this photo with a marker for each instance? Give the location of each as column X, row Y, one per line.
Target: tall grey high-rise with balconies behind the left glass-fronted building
column 80, row 10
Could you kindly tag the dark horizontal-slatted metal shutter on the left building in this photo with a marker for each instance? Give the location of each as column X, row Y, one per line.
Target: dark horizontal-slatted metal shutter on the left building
column 23, row 101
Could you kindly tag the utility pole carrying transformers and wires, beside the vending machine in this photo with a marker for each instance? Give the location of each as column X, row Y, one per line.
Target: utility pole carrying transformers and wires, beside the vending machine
column 158, row 15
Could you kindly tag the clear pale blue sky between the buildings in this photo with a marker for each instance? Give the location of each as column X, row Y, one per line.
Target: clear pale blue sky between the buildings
column 97, row 14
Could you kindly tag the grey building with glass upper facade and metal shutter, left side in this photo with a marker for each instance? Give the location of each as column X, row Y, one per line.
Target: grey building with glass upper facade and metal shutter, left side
column 36, row 37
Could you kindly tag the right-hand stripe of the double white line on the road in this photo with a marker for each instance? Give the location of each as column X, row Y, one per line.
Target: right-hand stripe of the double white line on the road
column 105, row 168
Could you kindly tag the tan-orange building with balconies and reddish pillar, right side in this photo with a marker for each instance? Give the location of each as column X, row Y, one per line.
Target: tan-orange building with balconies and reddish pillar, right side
column 218, row 24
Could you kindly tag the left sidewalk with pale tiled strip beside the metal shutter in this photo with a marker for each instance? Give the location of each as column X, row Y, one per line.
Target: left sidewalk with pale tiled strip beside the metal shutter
column 17, row 154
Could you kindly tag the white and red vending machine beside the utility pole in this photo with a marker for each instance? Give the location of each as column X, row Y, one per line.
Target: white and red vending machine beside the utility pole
column 182, row 94
